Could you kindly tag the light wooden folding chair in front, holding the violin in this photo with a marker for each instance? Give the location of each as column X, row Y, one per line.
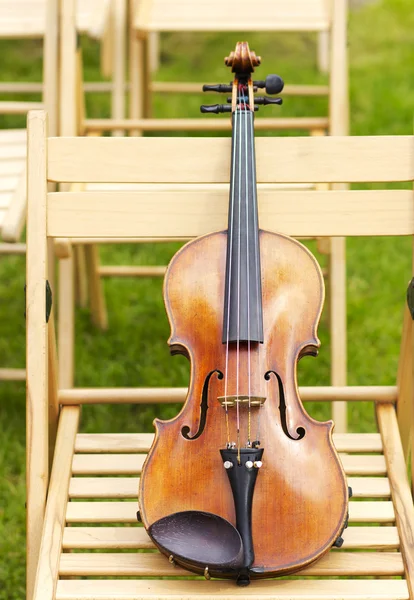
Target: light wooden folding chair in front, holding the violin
column 101, row 470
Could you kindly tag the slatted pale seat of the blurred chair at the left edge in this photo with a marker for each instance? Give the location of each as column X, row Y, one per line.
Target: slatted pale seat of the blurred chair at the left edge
column 12, row 181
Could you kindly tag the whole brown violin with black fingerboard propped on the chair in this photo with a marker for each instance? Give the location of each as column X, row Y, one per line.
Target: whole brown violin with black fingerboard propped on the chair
column 243, row 483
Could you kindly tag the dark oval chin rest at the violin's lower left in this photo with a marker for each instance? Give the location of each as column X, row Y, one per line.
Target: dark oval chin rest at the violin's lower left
column 199, row 539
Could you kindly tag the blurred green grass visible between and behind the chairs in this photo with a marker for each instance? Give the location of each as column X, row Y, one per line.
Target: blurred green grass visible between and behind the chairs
column 134, row 351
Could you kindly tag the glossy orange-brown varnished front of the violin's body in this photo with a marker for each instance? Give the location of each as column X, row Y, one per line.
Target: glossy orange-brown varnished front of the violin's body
column 300, row 499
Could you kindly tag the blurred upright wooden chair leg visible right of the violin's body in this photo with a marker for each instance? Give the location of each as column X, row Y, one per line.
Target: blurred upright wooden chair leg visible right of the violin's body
column 337, row 273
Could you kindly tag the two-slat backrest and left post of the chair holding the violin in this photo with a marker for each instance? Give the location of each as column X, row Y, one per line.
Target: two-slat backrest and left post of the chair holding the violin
column 201, row 164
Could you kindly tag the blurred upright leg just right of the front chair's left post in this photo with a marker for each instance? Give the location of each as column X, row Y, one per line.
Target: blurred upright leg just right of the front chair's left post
column 66, row 322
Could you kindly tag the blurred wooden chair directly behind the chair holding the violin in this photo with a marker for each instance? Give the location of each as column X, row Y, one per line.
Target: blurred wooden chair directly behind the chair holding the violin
column 153, row 17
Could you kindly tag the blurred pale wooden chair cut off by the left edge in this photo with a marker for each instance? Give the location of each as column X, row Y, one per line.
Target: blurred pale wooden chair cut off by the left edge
column 29, row 20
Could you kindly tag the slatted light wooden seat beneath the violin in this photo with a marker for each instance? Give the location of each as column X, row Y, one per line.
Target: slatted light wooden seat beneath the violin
column 101, row 521
